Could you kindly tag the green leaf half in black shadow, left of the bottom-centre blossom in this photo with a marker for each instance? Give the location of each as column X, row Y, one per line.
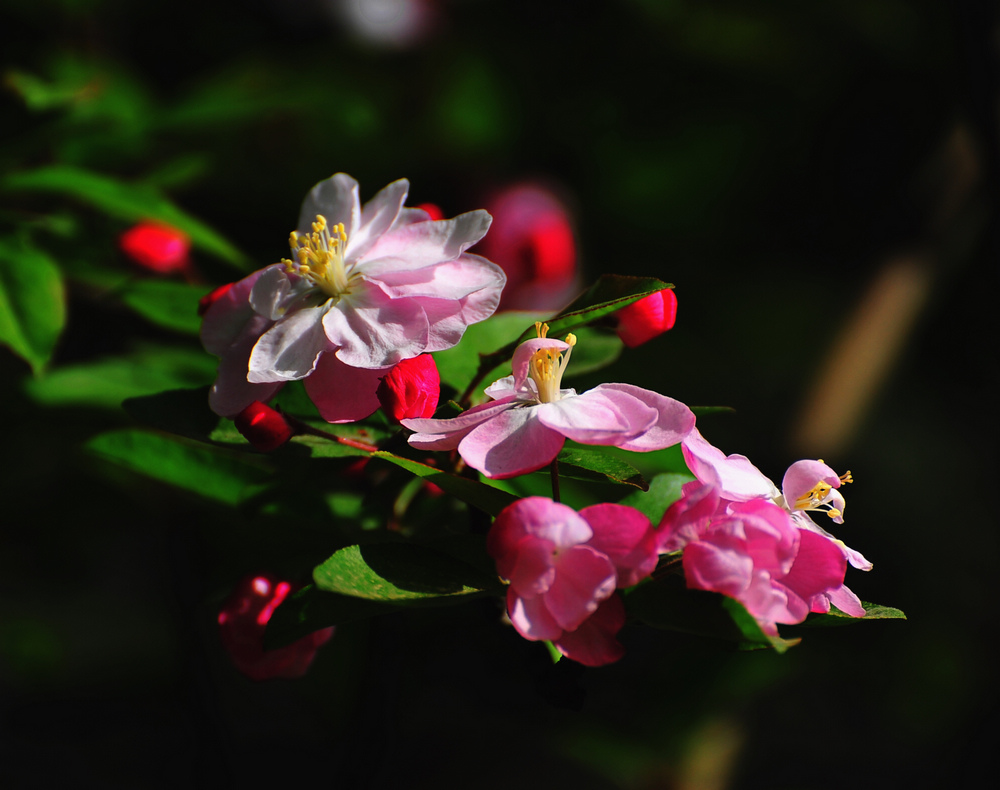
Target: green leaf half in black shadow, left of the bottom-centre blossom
column 400, row 573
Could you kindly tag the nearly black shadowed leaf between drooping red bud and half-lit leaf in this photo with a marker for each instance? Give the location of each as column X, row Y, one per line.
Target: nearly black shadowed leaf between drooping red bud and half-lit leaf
column 310, row 609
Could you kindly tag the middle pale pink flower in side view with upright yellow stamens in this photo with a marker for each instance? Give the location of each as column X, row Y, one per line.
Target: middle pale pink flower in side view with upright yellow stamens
column 530, row 416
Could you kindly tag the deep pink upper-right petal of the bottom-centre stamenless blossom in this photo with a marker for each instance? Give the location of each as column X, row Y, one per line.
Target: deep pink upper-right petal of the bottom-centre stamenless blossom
column 626, row 537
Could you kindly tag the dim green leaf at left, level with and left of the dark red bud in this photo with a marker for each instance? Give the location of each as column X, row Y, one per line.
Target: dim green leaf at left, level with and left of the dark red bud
column 214, row 474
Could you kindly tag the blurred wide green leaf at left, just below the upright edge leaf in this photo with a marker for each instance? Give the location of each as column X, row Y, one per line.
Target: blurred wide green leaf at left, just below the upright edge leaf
column 106, row 382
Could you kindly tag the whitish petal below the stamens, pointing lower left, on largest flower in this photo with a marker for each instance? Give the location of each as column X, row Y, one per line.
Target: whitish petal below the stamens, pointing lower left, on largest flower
column 289, row 349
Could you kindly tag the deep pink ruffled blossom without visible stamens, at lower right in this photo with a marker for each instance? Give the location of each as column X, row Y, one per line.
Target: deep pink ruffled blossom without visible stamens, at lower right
column 752, row 551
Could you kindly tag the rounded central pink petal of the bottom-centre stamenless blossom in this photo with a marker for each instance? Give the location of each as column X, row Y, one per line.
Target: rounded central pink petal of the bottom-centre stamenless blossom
column 584, row 577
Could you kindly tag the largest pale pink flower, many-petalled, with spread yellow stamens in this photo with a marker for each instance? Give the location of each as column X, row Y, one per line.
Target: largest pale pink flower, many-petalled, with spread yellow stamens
column 367, row 287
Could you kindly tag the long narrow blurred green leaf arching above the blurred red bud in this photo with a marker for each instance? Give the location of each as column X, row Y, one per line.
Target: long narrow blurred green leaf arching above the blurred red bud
column 128, row 201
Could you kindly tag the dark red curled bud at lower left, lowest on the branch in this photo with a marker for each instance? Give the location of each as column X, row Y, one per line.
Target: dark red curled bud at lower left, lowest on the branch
column 242, row 621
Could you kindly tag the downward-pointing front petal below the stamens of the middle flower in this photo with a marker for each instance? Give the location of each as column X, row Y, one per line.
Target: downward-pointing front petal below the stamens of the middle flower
column 512, row 443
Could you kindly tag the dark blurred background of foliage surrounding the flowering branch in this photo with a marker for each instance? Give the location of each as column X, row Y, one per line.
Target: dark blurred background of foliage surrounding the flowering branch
column 819, row 180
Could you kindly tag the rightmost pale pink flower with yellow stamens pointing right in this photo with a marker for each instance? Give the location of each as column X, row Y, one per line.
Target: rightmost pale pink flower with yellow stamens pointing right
column 808, row 486
